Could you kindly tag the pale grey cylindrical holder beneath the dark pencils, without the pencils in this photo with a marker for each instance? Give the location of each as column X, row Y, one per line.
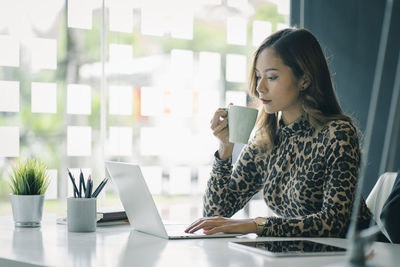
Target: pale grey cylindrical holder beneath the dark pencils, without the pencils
column 81, row 214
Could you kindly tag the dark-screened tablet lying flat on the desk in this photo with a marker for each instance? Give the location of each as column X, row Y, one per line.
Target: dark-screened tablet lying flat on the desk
column 289, row 248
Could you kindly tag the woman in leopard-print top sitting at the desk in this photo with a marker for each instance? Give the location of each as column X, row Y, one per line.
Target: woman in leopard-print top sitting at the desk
column 304, row 156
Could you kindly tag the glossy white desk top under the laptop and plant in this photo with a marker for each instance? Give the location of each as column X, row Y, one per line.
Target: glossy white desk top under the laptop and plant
column 53, row 245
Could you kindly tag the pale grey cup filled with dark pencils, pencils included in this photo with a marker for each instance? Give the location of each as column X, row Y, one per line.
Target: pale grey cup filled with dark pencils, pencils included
column 81, row 209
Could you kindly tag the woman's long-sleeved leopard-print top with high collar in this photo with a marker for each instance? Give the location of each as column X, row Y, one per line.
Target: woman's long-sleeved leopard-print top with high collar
column 308, row 180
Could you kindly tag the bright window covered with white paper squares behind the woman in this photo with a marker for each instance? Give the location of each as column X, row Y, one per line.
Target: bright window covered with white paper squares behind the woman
column 138, row 82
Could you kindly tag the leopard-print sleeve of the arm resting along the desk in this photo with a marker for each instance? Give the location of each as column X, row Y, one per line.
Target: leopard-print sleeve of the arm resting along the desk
column 342, row 157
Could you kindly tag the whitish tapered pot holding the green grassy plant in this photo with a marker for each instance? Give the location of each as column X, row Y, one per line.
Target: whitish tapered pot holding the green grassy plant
column 27, row 210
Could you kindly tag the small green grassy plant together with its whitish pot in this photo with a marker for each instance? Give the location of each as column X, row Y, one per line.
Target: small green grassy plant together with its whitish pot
column 29, row 182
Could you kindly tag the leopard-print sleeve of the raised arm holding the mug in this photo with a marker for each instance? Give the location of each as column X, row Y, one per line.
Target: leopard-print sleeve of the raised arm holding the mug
column 229, row 190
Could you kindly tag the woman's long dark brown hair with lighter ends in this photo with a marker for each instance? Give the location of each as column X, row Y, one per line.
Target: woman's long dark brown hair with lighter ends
column 301, row 52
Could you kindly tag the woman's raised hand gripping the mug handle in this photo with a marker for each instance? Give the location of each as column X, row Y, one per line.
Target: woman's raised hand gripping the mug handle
column 219, row 126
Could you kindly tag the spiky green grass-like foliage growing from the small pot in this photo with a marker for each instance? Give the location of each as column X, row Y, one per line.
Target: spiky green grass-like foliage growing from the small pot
column 29, row 177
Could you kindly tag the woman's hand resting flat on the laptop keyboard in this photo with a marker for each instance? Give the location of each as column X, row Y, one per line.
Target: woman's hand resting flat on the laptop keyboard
column 212, row 225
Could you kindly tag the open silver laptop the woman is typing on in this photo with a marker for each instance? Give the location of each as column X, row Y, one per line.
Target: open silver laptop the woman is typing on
column 140, row 207
